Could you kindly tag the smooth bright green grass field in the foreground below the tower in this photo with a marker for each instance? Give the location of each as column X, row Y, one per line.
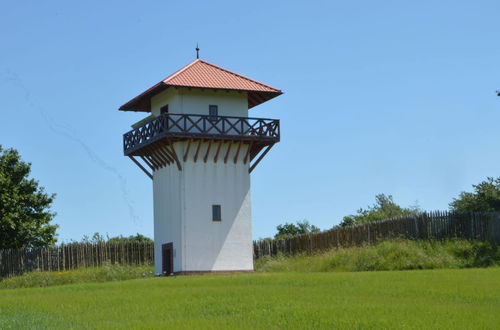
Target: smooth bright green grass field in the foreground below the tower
column 444, row 299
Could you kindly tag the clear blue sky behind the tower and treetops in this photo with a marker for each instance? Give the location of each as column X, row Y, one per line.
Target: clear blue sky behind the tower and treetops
column 392, row 97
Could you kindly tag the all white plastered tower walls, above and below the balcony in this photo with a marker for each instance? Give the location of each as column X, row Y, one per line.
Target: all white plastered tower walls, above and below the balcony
column 183, row 199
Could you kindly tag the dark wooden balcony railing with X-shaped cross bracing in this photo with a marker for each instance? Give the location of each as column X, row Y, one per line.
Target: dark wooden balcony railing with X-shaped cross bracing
column 201, row 126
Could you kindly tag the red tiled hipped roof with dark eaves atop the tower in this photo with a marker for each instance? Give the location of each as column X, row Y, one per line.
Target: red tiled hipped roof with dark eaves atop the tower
column 201, row 74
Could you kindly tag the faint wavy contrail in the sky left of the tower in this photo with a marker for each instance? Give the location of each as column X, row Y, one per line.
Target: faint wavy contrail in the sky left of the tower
column 68, row 133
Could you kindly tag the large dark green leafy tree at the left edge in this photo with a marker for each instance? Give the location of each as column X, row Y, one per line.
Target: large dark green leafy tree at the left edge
column 24, row 206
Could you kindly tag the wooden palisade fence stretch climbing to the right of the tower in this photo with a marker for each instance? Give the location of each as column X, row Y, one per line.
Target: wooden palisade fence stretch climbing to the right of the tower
column 481, row 226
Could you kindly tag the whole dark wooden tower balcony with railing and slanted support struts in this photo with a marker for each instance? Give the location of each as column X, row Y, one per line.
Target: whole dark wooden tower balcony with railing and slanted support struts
column 153, row 141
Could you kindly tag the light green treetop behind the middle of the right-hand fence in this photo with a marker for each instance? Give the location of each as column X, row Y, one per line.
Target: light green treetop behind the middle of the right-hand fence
column 384, row 208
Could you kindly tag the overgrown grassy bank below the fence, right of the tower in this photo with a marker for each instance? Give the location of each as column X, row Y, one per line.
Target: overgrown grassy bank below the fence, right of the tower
column 389, row 255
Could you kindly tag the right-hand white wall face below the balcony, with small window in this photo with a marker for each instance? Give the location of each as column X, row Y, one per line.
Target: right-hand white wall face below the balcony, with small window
column 212, row 245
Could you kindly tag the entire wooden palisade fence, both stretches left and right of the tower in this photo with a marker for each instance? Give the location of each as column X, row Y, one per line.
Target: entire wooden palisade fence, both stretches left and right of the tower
column 425, row 226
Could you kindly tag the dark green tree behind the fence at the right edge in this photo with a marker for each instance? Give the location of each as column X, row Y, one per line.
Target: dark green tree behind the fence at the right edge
column 486, row 197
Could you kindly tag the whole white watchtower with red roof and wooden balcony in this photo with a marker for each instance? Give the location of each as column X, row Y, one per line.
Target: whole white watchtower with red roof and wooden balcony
column 199, row 146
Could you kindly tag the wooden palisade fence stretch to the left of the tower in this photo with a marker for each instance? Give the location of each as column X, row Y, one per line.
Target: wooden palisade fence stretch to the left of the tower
column 74, row 255
